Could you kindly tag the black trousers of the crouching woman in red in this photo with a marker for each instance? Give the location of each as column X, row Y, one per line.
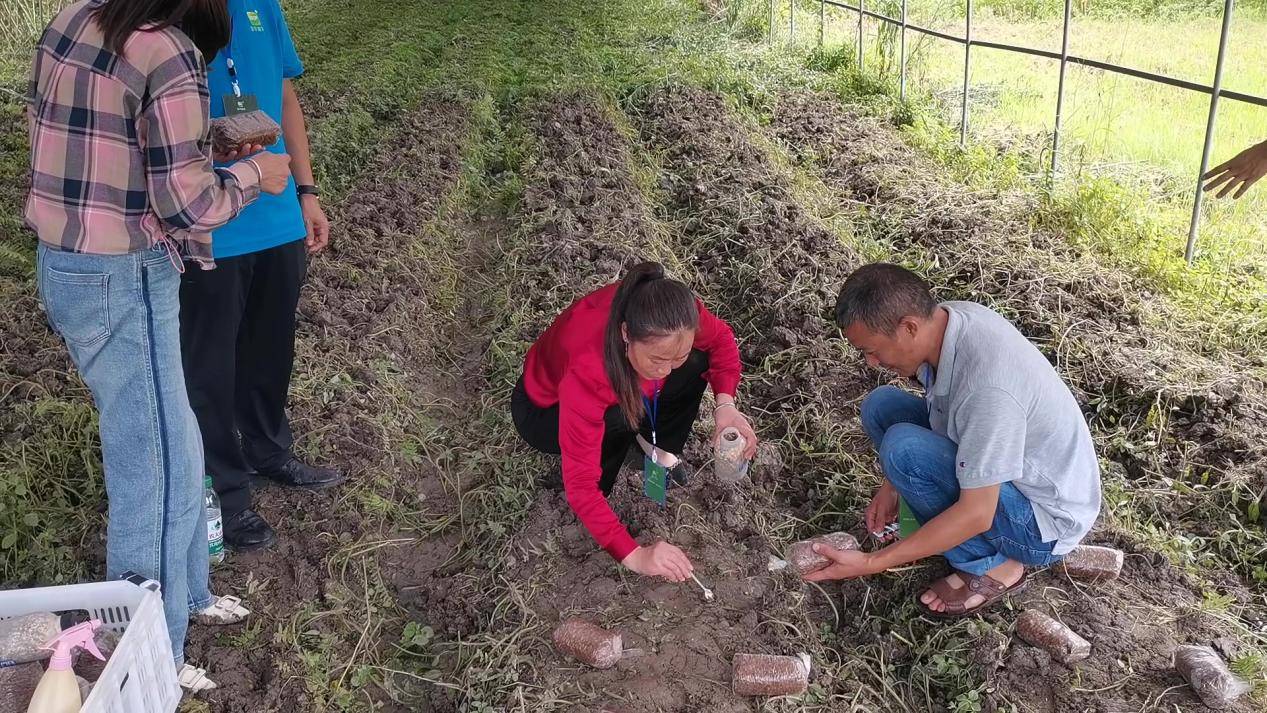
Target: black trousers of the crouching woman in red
column 678, row 411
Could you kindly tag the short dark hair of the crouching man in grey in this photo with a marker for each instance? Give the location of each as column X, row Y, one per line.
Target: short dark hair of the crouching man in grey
column 880, row 296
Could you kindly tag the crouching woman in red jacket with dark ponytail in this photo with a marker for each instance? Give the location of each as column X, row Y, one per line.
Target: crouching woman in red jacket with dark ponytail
column 635, row 353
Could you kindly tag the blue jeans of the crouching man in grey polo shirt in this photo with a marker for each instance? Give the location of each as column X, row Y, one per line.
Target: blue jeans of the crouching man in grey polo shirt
column 920, row 465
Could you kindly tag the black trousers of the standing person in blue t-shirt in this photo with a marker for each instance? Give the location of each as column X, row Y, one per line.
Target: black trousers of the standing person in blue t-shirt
column 238, row 334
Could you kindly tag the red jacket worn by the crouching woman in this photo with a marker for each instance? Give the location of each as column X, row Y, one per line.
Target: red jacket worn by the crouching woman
column 566, row 368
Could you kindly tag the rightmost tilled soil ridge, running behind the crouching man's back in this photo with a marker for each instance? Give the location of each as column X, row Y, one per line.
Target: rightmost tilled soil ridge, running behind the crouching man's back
column 1160, row 406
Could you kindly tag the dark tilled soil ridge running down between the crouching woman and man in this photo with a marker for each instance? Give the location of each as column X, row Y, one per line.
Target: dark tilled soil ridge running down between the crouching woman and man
column 763, row 263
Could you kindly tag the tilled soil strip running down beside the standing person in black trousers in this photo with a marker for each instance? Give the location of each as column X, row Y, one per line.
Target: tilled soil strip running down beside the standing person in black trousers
column 359, row 313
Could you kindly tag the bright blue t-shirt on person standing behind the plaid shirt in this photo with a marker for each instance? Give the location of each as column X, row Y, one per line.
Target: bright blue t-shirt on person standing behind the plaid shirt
column 264, row 56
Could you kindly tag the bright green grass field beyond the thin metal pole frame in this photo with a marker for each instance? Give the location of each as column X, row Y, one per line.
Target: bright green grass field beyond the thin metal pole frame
column 1131, row 149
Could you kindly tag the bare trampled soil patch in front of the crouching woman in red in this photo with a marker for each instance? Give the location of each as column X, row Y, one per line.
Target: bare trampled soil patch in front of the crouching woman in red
column 677, row 647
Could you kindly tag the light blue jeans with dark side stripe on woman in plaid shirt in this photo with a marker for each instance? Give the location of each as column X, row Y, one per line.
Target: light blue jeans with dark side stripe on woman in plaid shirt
column 120, row 319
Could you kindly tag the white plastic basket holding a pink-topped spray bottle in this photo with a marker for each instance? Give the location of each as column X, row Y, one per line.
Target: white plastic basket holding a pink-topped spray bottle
column 141, row 676
